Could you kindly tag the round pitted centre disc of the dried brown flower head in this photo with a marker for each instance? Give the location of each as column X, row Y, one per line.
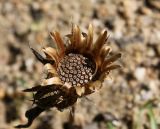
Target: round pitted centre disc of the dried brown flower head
column 76, row 69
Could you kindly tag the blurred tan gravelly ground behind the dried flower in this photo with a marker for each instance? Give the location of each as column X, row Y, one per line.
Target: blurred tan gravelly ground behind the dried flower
column 130, row 97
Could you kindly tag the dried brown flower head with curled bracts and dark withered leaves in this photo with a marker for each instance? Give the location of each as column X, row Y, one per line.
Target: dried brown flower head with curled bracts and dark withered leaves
column 75, row 69
